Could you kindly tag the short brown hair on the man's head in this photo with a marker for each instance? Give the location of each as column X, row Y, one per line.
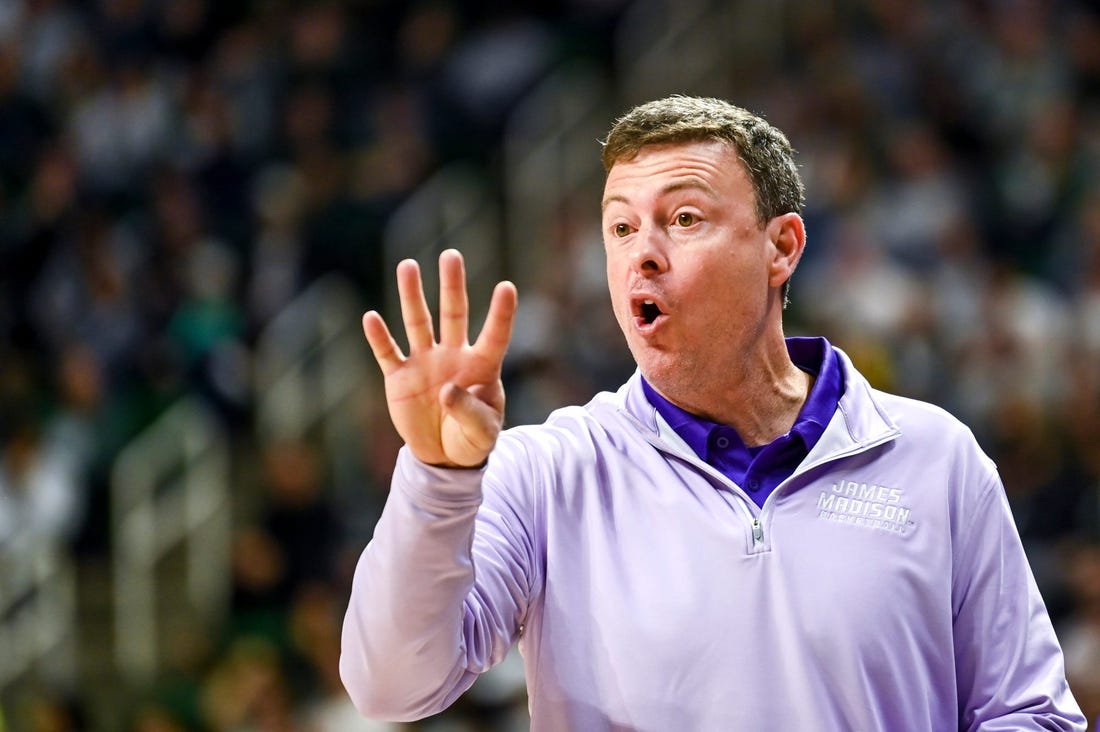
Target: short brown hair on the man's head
column 765, row 151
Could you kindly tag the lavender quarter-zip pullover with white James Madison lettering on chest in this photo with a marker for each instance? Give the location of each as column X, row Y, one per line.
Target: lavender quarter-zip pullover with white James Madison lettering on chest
column 881, row 587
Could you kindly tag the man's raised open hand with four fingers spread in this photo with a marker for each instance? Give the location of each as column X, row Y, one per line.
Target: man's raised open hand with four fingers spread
column 446, row 398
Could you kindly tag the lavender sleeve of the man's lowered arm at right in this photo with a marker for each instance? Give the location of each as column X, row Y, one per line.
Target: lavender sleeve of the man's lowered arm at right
column 1009, row 665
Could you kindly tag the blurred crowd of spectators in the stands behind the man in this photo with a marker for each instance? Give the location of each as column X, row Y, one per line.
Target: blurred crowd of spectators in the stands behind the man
column 174, row 172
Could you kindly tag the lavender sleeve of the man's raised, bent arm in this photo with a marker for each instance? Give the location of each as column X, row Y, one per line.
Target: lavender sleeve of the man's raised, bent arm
column 439, row 594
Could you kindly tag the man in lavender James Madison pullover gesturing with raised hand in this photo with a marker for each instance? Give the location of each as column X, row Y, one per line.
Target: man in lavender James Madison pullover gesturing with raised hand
column 745, row 537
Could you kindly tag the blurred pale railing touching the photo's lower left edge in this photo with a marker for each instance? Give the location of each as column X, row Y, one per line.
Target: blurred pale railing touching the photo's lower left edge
column 38, row 614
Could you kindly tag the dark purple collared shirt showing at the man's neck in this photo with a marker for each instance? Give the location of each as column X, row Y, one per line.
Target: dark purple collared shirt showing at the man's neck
column 758, row 471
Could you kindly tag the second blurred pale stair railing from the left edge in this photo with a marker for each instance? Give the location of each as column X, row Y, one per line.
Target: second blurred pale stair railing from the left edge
column 170, row 489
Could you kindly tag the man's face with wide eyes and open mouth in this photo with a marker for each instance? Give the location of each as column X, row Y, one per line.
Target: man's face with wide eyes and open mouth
column 689, row 265
